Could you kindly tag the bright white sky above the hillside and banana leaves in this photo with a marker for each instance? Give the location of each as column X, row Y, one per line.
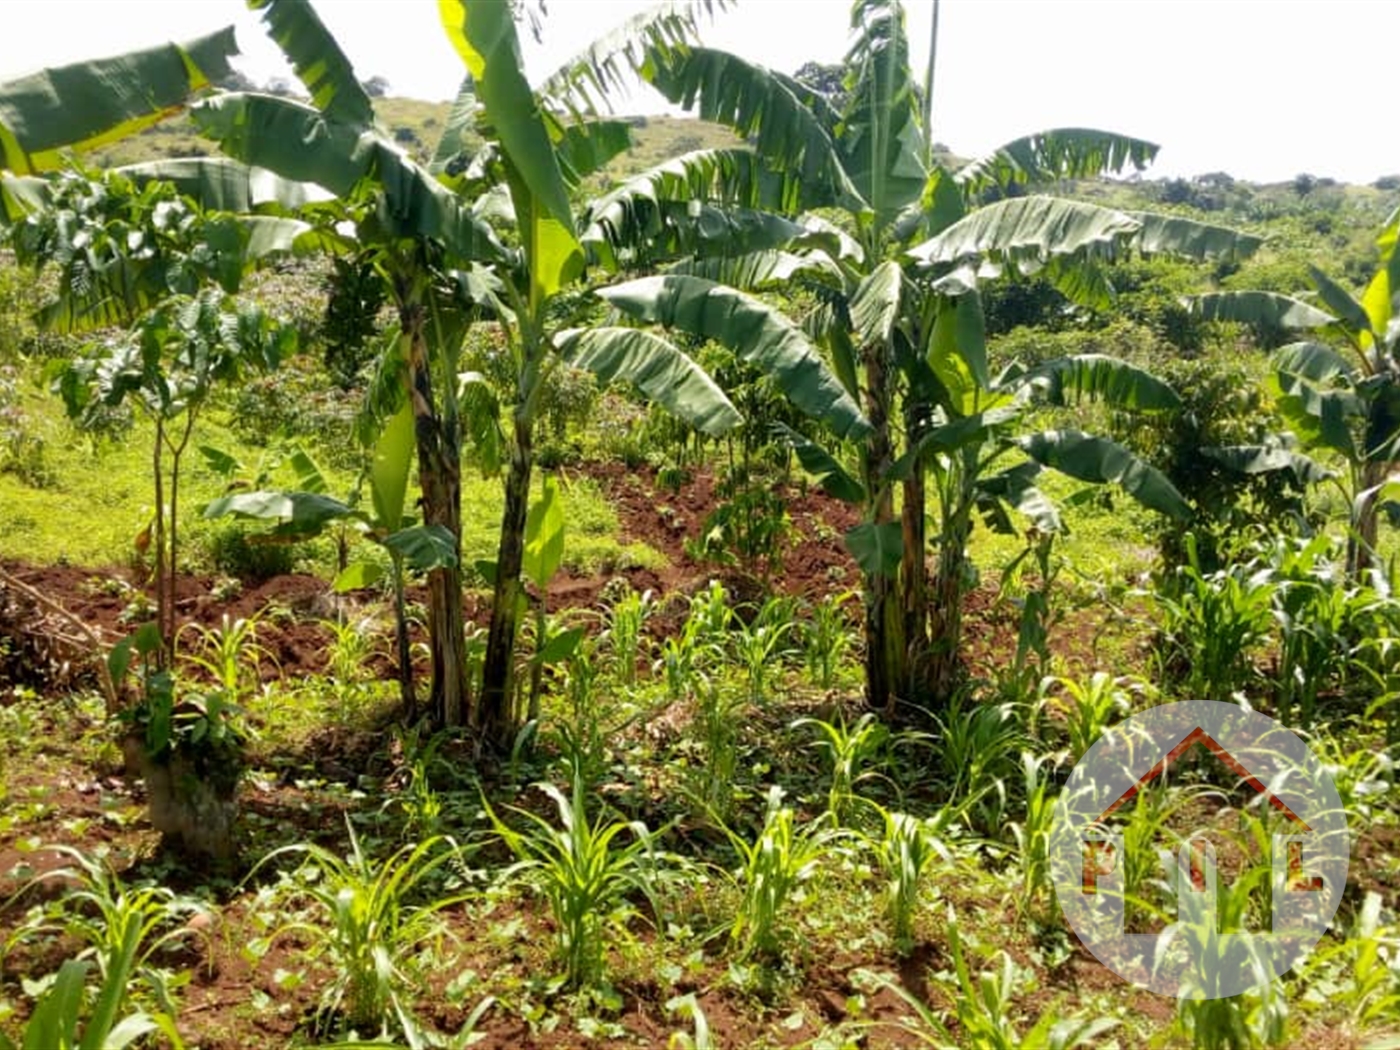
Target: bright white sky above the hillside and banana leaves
column 1261, row 90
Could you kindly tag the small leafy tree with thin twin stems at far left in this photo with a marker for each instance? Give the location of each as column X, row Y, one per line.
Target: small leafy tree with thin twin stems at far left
column 141, row 257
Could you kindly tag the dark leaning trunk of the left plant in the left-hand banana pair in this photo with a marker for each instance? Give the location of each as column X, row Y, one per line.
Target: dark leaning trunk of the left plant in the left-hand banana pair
column 440, row 478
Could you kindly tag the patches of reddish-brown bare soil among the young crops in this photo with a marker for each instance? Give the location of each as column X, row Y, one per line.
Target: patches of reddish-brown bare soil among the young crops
column 239, row 1000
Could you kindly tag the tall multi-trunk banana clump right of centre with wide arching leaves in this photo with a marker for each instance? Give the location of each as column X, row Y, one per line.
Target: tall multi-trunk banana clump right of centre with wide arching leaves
column 901, row 320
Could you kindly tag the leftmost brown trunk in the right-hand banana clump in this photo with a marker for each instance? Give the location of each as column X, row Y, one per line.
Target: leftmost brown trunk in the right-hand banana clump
column 885, row 653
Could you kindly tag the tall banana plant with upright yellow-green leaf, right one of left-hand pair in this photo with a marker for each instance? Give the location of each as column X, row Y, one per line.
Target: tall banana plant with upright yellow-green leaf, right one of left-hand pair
column 526, row 173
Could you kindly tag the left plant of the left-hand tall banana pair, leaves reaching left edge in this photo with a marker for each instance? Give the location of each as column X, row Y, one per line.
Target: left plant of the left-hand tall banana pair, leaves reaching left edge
column 363, row 195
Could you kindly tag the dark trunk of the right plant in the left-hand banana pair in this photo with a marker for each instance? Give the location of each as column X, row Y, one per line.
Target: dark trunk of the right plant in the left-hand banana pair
column 498, row 719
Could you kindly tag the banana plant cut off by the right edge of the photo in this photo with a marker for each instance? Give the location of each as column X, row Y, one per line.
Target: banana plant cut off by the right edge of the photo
column 1340, row 390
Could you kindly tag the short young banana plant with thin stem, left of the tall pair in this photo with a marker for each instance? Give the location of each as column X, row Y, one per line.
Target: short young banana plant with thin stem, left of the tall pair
column 309, row 510
